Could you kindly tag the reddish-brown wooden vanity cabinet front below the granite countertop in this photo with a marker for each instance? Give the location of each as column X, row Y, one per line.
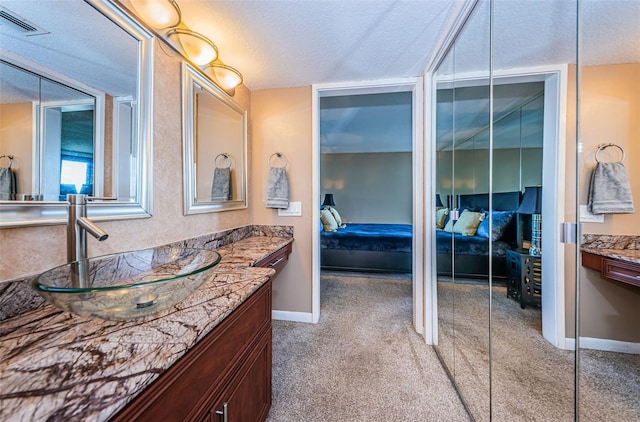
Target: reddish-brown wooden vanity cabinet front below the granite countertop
column 231, row 364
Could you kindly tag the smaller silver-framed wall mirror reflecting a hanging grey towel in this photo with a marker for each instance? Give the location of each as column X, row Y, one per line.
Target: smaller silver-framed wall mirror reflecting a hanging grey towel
column 214, row 146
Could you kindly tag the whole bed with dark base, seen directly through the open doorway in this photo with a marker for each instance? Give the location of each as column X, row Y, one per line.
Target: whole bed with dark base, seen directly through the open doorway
column 368, row 247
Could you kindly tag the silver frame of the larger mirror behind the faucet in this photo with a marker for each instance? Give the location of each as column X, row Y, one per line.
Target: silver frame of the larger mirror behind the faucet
column 40, row 213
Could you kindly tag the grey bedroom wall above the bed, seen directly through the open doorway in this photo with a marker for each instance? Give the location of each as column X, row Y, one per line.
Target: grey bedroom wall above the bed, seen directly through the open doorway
column 369, row 187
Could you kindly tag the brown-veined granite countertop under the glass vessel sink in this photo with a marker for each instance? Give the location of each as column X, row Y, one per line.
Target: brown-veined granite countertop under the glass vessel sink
column 59, row 366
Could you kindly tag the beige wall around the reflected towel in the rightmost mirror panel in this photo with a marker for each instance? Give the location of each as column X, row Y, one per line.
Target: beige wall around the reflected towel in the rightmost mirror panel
column 610, row 112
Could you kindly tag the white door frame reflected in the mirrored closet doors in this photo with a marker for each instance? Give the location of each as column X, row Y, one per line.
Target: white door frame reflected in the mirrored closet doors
column 553, row 178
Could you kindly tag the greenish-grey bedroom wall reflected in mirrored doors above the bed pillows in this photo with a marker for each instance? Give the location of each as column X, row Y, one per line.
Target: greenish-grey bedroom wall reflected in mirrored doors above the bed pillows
column 472, row 170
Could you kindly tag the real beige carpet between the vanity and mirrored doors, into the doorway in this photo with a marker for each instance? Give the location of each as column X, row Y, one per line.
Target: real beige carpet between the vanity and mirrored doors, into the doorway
column 362, row 362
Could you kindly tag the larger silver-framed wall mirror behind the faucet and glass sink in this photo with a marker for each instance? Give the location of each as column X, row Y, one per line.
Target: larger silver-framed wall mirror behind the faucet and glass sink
column 76, row 82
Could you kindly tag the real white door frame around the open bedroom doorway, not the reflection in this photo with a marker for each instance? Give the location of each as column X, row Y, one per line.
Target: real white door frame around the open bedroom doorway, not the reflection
column 413, row 85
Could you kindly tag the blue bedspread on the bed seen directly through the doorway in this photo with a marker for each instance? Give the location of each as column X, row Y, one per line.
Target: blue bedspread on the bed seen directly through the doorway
column 369, row 237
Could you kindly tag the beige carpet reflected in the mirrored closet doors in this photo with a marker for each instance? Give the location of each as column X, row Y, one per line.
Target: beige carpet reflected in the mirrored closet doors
column 531, row 380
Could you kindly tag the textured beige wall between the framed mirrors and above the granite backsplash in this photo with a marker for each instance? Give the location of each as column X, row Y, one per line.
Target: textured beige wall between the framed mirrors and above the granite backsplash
column 27, row 251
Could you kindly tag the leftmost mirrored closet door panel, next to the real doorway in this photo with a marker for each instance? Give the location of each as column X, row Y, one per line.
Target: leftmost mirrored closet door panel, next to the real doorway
column 462, row 183
